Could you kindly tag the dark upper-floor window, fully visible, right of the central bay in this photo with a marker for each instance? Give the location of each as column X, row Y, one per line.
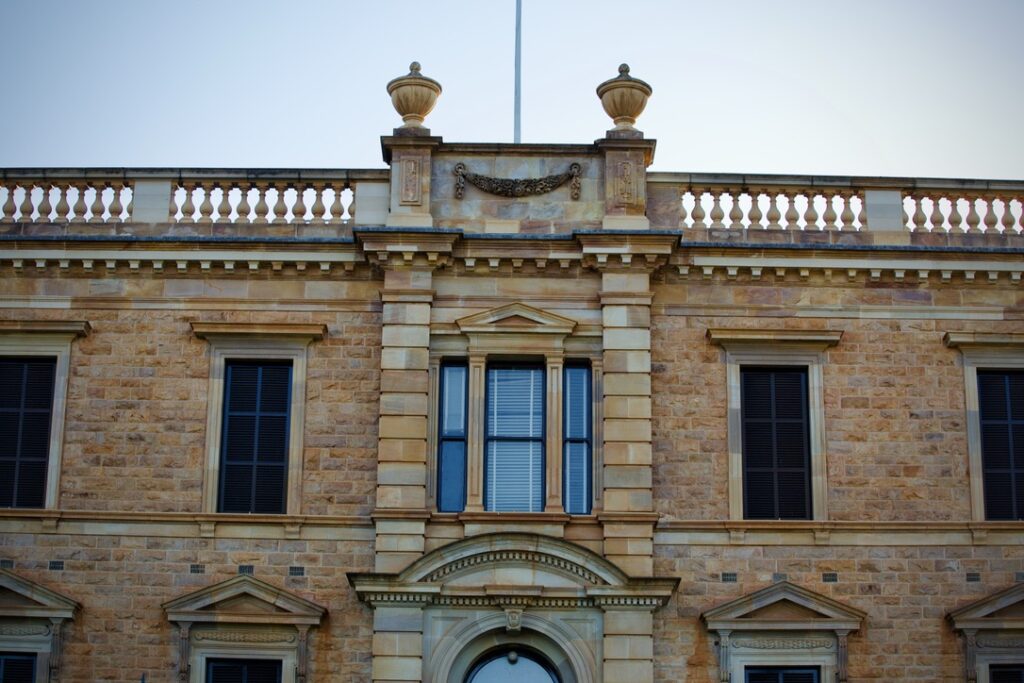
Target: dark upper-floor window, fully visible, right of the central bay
column 776, row 444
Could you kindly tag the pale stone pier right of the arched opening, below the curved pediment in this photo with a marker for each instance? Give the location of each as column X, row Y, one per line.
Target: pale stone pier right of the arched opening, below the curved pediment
column 629, row 645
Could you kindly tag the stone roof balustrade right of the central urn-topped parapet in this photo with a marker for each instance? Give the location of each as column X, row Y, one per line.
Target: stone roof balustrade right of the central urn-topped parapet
column 682, row 201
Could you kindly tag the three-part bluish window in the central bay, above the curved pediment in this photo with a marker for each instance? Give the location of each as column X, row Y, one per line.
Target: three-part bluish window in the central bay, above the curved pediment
column 516, row 438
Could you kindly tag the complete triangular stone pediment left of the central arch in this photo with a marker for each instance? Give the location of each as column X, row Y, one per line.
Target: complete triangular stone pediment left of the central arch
column 244, row 600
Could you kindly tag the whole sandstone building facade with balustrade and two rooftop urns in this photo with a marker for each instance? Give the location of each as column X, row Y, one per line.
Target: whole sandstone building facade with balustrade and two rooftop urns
column 510, row 410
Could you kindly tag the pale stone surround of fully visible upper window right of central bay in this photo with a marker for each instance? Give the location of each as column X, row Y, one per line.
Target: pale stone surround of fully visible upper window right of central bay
column 777, row 349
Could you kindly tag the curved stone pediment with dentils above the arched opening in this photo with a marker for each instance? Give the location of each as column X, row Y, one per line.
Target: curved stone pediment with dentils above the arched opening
column 513, row 569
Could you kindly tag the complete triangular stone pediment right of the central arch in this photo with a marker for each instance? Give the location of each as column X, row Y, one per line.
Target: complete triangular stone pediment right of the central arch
column 784, row 607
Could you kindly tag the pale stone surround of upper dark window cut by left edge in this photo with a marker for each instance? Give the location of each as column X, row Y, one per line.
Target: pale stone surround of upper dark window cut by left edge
column 54, row 339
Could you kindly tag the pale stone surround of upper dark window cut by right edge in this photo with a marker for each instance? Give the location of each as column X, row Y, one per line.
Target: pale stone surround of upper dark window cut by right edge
column 982, row 352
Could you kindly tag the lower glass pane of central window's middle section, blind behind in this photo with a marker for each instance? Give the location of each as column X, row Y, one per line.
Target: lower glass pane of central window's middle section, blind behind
column 516, row 477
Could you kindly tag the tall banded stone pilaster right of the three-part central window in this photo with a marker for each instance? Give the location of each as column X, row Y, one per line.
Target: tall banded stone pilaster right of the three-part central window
column 628, row 504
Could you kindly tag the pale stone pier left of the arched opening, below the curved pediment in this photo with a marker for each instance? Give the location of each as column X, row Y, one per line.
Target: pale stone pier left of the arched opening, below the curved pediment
column 398, row 648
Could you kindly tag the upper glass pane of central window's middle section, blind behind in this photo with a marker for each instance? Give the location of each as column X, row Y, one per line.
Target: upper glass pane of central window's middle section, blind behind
column 516, row 402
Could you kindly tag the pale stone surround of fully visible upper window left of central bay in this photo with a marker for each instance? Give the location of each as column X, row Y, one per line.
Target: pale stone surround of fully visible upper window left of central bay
column 246, row 341
